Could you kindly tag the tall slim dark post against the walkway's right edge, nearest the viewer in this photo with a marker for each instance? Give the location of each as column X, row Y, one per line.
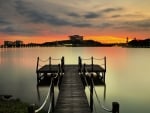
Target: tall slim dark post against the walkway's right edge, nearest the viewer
column 91, row 93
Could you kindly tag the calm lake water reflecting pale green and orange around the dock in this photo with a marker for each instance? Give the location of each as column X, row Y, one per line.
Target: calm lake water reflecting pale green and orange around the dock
column 127, row 76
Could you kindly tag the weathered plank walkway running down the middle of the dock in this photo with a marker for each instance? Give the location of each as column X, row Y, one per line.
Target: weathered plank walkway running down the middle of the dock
column 72, row 97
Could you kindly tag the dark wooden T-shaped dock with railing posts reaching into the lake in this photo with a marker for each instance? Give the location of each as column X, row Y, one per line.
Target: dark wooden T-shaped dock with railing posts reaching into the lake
column 72, row 97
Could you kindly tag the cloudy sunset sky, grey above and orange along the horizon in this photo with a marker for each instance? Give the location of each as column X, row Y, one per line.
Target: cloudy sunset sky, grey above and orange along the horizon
column 48, row 20
